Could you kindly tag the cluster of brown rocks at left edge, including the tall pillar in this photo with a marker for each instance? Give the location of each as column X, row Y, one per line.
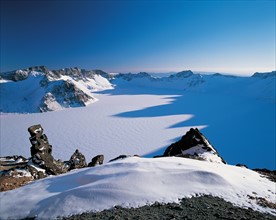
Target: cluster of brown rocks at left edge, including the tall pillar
column 16, row 171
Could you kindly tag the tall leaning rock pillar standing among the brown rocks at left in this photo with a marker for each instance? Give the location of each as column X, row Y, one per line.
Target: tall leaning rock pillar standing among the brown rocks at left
column 41, row 152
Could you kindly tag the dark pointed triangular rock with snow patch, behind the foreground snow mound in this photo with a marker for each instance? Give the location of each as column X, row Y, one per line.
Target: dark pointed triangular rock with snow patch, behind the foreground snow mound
column 194, row 145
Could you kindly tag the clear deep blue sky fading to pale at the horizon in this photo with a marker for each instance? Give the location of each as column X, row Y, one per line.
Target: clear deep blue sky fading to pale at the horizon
column 156, row 36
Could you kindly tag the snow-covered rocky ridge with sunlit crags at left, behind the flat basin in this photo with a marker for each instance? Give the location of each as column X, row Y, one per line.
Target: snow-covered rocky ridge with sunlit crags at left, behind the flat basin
column 38, row 89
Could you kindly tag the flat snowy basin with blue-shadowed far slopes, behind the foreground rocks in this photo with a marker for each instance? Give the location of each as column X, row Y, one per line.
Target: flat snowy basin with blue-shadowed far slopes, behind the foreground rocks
column 142, row 116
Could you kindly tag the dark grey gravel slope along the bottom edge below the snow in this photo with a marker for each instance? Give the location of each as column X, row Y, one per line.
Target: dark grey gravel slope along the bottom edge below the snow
column 204, row 207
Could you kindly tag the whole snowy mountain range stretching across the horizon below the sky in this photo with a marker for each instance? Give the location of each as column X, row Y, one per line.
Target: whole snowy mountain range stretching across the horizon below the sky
column 38, row 89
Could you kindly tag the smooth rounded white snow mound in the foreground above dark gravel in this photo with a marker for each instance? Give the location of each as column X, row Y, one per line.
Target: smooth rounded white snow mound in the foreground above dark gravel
column 135, row 182
